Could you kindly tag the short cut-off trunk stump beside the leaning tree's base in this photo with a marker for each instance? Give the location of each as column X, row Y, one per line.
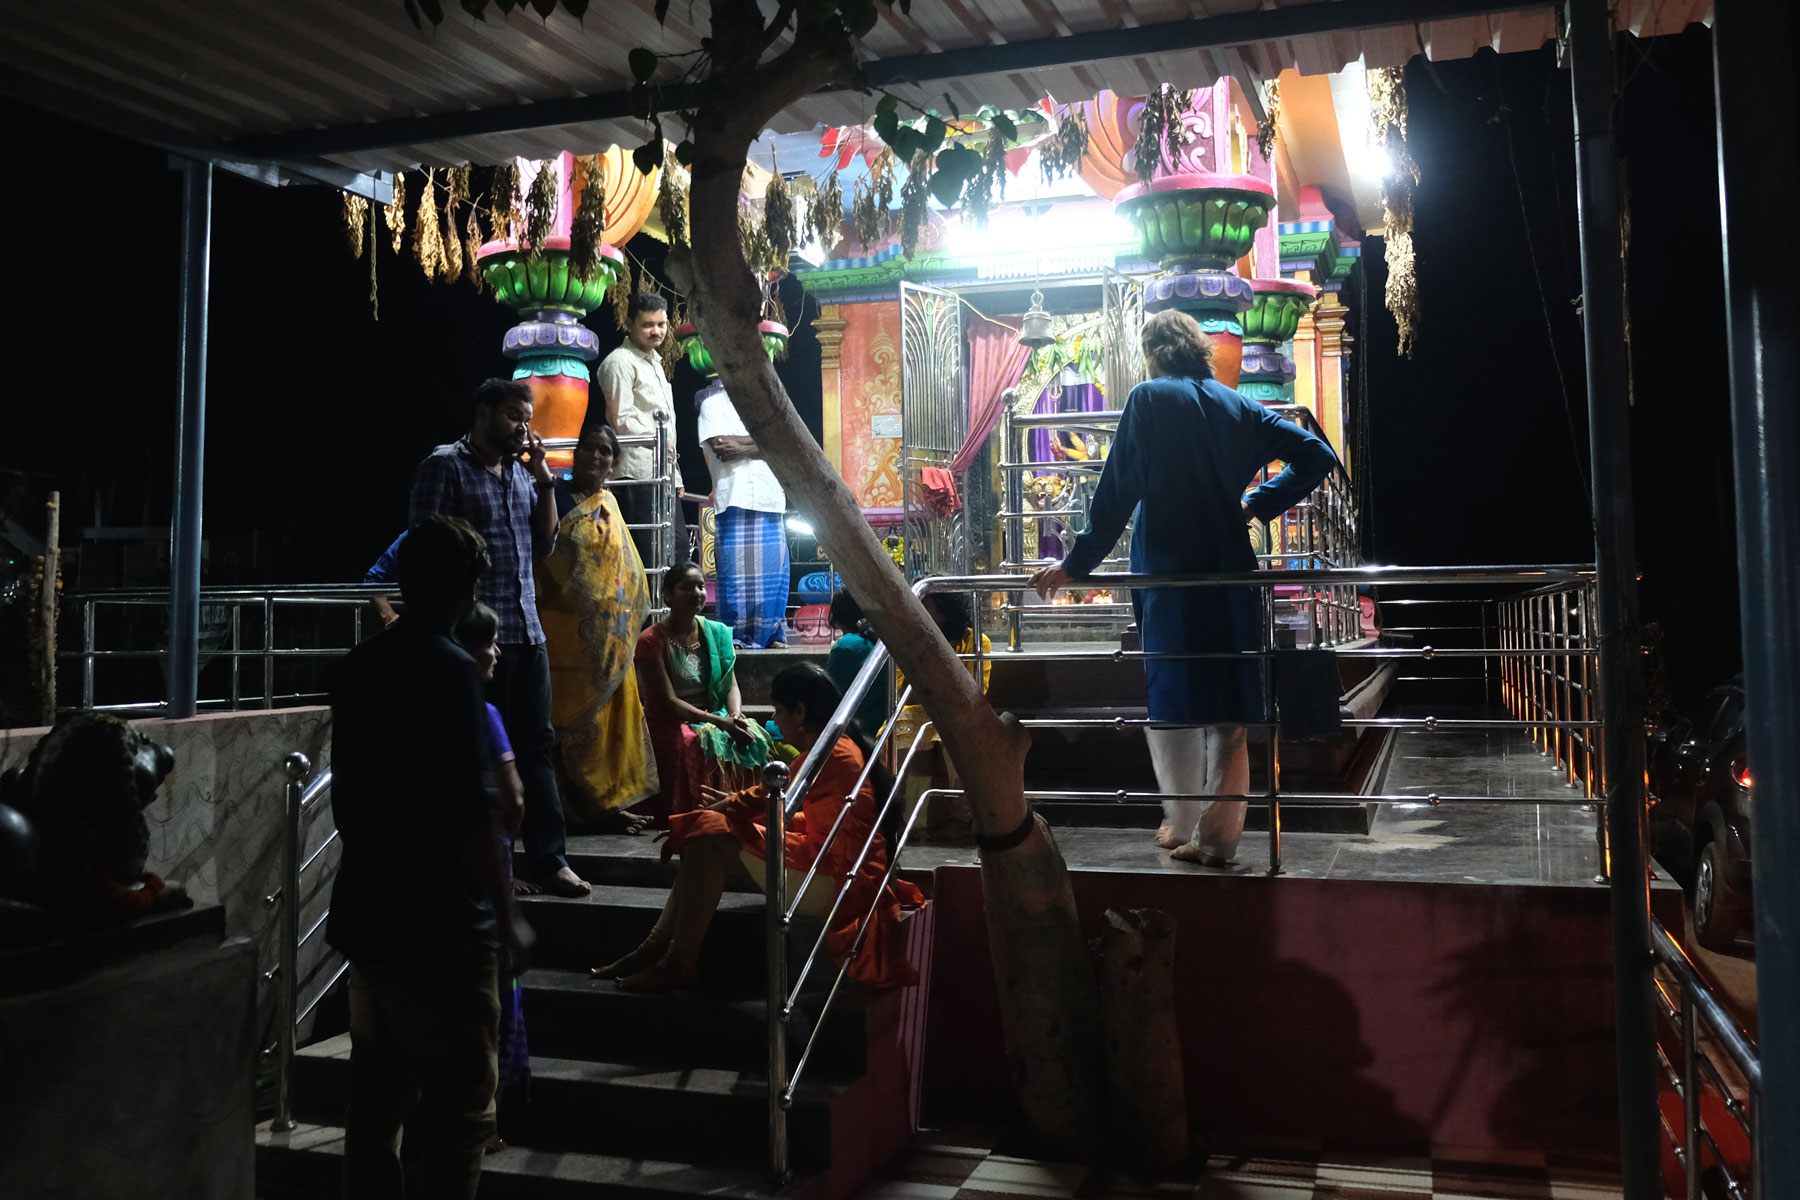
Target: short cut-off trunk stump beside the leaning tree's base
column 1146, row 1079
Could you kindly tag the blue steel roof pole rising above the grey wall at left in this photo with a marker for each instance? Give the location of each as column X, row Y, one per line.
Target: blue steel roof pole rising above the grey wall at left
column 183, row 663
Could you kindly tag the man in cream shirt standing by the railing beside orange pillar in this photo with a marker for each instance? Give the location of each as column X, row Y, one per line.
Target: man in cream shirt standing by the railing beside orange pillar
column 636, row 391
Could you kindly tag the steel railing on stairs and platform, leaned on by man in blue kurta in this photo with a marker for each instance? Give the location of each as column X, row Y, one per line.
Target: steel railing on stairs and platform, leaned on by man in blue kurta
column 786, row 793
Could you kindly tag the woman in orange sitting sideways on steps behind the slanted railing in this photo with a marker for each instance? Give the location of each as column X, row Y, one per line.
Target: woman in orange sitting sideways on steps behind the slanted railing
column 726, row 841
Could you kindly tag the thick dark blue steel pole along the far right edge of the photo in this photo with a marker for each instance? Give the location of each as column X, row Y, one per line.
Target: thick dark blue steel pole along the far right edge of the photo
column 1756, row 58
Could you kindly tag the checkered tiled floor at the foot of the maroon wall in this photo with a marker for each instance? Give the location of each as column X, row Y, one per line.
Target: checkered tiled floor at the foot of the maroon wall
column 962, row 1165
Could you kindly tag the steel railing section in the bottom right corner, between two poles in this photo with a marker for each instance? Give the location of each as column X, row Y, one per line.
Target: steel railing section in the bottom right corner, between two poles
column 1691, row 1008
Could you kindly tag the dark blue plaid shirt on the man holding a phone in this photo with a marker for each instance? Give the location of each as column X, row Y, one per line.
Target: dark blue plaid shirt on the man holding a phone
column 453, row 481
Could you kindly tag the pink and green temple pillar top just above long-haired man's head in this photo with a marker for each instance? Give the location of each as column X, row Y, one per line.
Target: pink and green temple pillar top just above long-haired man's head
column 1201, row 219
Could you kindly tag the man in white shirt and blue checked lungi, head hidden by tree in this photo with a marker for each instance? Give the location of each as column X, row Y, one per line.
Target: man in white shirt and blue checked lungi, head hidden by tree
column 750, row 514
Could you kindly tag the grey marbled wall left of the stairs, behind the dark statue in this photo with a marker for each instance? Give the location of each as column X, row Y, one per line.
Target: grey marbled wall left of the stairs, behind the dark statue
column 219, row 823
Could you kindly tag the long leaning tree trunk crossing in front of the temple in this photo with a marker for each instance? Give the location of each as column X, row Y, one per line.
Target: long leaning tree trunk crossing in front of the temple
column 1041, row 967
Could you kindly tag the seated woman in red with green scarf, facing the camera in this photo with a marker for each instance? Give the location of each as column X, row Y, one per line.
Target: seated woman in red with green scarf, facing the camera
column 690, row 690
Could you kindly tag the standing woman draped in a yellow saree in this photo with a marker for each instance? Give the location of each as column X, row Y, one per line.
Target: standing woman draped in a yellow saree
column 593, row 602
